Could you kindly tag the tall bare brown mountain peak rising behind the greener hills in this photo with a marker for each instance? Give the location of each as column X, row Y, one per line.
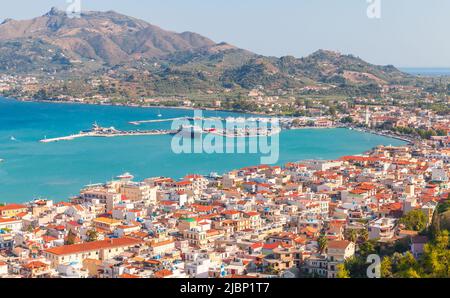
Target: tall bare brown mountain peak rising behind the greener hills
column 108, row 37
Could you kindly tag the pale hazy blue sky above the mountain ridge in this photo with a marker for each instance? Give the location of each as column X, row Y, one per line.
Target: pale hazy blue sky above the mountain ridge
column 411, row 33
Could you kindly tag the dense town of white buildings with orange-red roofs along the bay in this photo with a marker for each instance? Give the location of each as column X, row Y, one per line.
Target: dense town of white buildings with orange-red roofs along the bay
column 310, row 218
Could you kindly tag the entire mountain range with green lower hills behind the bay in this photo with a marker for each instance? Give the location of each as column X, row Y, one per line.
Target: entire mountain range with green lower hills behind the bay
column 139, row 54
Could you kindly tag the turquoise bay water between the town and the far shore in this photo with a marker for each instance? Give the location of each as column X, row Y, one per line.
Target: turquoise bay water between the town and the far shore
column 58, row 170
